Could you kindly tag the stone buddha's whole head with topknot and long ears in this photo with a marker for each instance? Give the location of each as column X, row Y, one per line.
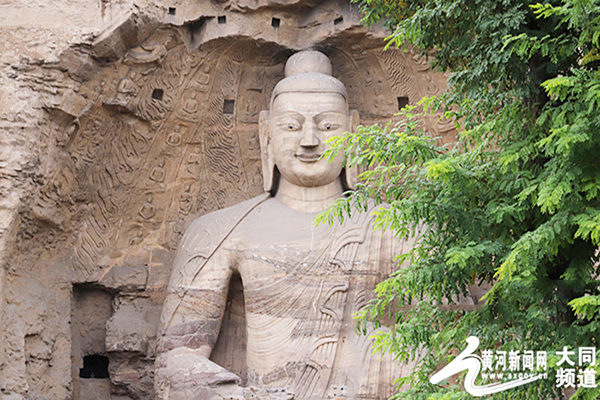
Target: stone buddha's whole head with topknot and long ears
column 307, row 107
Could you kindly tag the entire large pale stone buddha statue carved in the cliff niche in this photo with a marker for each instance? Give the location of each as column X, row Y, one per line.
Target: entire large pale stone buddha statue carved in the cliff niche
column 302, row 283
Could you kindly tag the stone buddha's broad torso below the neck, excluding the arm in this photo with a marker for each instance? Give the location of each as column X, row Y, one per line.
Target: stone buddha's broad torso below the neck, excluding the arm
column 302, row 284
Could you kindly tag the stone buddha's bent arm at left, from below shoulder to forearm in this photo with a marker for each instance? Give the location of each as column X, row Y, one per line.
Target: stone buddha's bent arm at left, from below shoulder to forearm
column 190, row 323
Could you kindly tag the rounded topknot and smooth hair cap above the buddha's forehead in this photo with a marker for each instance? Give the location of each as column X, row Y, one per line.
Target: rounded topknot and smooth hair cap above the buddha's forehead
column 309, row 71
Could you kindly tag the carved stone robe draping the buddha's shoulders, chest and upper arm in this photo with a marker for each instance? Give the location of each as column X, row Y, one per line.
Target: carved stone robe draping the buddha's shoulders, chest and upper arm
column 302, row 283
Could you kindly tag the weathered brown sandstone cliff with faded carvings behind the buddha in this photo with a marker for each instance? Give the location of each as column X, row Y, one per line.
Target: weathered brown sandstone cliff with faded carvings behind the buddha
column 121, row 122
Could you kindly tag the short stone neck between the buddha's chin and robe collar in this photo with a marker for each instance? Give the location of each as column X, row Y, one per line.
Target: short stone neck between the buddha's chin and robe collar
column 308, row 199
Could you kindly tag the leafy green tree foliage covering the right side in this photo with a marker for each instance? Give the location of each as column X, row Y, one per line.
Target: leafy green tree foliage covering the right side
column 515, row 203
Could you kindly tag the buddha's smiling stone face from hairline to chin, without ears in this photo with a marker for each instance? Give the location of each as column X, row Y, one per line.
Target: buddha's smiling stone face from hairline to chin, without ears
column 299, row 125
